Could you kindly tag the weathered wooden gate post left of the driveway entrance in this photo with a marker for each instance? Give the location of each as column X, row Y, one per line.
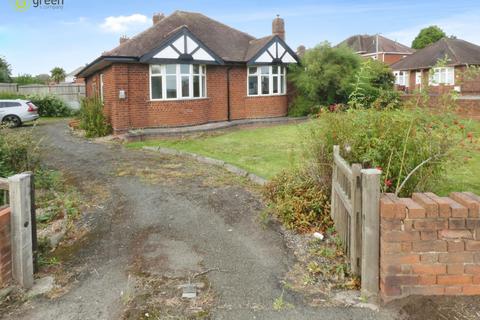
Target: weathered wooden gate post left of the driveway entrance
column 21, row 229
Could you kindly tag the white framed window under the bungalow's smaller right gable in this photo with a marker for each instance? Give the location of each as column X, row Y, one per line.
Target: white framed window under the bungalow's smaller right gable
column 267, row 80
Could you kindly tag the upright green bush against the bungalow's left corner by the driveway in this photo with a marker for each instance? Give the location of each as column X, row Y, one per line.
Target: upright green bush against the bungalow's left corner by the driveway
column 92, row 119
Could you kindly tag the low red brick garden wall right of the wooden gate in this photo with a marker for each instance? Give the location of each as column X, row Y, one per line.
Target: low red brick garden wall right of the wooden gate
column 429, row 245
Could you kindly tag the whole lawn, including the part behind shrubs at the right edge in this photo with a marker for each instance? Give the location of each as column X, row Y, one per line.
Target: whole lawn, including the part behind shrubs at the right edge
column 267, row 151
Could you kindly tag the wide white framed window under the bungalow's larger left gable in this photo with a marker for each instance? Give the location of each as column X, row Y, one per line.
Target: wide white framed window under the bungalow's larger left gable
column 177, row 81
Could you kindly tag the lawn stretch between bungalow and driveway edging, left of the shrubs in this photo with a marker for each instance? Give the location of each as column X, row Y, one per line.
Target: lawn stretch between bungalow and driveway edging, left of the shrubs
column 264, row 151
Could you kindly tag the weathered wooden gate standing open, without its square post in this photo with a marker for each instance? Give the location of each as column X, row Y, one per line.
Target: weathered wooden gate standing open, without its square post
column 346, row 207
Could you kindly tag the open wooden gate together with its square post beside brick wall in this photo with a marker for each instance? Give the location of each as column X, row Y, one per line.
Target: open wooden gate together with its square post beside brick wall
column 355, row 212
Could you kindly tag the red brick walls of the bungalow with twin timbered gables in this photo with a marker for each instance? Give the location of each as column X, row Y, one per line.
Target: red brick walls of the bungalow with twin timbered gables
column 137, row 111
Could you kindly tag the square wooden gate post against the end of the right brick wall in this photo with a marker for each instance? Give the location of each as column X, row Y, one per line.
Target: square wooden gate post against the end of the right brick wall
column 371, row 231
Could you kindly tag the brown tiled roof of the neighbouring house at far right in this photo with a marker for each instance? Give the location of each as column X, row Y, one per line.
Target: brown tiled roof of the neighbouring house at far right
column 458, row 52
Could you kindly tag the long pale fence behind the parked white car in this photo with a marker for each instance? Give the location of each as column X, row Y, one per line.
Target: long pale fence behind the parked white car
column 70, row 93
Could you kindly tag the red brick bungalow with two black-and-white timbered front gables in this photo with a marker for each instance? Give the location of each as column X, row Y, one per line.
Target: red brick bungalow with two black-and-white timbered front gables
column 188, row 69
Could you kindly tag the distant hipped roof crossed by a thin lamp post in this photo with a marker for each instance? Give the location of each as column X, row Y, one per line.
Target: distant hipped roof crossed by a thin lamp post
column 365, row 44
